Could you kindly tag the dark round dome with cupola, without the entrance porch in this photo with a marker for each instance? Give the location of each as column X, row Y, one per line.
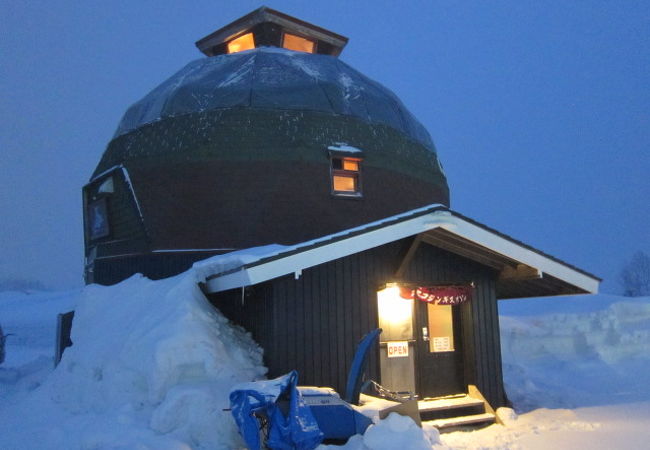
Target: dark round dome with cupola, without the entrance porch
column 269, row 139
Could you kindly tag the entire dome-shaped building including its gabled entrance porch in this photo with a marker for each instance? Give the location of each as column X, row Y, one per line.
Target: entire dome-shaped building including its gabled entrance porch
column 272, row 139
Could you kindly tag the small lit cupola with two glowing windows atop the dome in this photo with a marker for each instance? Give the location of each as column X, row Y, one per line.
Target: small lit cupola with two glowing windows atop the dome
column 266, row 27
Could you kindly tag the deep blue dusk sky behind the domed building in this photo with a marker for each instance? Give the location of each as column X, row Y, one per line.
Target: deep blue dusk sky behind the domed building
column 540, row 110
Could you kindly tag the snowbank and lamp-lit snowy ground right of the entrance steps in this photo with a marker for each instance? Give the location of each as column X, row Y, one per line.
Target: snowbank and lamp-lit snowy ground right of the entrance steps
column 577, row 370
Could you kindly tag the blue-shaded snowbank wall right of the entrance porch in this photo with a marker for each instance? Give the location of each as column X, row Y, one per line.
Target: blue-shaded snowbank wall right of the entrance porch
column 579, row 358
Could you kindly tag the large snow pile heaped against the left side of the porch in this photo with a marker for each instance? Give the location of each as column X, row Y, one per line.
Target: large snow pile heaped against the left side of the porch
column 151, row 367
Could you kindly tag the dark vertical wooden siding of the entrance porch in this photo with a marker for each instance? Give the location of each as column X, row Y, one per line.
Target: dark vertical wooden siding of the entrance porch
column 313, row 324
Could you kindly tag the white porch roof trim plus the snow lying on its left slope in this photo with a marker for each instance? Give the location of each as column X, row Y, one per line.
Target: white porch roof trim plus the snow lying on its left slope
column 256, row 265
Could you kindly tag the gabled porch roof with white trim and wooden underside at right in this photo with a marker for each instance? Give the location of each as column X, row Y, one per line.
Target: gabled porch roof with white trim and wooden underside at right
column 523, row 271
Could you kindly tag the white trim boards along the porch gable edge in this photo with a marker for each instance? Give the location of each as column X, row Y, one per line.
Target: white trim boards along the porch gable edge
column 310, row 257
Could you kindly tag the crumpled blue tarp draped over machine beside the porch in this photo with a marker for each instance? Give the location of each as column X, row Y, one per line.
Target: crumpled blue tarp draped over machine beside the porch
column 293, row 428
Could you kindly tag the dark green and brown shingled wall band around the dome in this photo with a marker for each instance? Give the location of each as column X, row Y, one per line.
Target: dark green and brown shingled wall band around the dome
column 243, row 189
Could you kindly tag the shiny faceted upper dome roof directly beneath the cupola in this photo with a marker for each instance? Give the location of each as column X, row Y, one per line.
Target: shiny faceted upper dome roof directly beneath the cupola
column 274, row 78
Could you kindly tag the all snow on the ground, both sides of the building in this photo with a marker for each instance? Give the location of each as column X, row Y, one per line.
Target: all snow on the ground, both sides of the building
column 576, row 368
